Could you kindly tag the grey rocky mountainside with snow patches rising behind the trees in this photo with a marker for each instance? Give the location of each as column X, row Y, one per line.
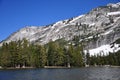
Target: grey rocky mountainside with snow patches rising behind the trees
column 99, row 27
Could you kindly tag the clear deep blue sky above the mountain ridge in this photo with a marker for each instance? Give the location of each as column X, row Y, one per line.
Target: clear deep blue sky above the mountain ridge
column 16, row 14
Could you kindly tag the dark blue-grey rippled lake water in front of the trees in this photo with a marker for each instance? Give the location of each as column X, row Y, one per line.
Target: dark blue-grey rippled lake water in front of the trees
column 92, row 73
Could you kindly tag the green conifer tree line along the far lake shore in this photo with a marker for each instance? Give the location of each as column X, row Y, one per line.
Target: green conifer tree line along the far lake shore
column 22, row 54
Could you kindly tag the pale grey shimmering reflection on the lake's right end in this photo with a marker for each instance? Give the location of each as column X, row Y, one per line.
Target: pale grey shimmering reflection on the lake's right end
column 104, row 74
